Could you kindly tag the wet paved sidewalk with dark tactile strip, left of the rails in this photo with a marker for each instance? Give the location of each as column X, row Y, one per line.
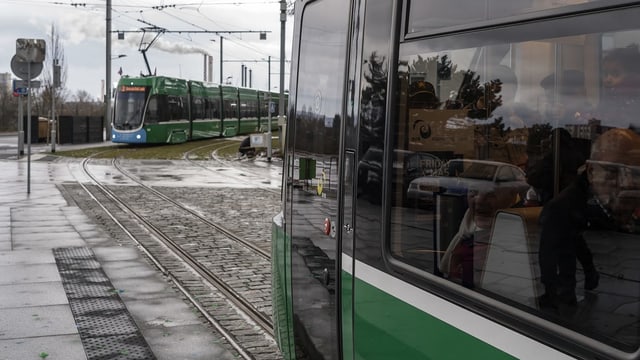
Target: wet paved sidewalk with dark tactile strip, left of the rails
column 68, row 291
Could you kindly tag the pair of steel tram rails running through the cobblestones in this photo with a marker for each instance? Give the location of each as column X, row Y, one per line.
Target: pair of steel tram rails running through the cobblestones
column 257, row 313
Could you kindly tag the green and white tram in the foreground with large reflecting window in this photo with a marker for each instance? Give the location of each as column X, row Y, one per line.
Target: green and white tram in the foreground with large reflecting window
column 461, row 181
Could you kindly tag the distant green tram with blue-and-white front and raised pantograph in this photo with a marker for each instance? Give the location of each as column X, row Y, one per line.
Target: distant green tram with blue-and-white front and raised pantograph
column 161, row 109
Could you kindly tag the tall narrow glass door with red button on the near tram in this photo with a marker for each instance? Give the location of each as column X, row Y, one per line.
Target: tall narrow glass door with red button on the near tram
column 314, row 150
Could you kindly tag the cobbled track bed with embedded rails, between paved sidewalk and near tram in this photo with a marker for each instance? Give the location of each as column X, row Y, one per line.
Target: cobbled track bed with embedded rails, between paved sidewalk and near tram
column 216, row 268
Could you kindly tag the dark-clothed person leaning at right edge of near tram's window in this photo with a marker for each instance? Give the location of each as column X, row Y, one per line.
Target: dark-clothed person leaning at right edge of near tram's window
column 604, row 195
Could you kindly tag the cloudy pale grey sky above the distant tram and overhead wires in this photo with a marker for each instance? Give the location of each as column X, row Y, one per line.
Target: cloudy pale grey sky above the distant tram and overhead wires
column 82, row 33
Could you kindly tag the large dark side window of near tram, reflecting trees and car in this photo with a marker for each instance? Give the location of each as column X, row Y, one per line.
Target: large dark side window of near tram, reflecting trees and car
column 496, row 184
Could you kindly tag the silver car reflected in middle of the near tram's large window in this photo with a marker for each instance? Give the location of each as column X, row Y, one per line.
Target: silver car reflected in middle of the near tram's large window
column 458, row 176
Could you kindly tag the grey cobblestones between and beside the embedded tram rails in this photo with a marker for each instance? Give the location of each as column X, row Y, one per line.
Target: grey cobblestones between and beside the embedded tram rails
column 244, row 210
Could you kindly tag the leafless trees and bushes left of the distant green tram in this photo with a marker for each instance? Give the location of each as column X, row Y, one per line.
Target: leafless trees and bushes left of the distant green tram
column 80, row 103
